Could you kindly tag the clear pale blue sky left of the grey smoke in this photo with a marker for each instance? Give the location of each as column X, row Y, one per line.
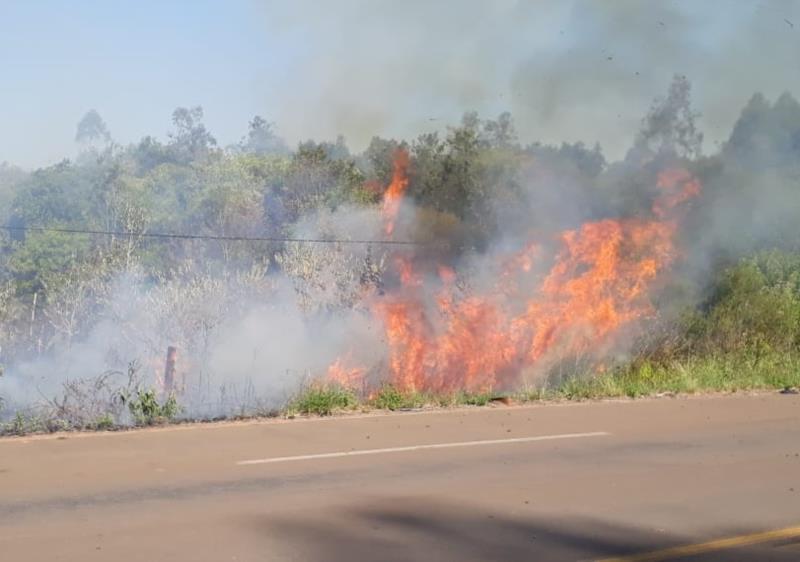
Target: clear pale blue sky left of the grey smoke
column 132, row 61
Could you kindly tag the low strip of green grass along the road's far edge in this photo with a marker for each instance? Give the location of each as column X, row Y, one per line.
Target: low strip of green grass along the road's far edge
column 637, row 379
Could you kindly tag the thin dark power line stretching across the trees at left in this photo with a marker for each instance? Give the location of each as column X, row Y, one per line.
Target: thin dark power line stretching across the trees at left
column 169, row 235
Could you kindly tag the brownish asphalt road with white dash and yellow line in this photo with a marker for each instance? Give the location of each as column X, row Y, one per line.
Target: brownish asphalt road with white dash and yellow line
column 709, row 478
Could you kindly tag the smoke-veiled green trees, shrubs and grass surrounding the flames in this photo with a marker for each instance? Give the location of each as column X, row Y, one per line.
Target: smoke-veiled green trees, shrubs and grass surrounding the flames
column 727, row 320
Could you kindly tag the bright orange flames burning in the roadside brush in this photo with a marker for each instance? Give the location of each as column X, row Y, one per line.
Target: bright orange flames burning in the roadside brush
column 566, row 298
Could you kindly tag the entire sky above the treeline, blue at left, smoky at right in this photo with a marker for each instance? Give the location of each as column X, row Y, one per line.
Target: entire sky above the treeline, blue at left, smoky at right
column 567, row 70
